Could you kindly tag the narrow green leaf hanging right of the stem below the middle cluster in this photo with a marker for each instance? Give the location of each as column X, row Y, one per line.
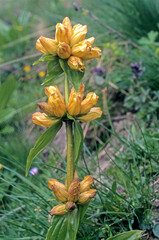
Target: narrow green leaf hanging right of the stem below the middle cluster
column 78, row 141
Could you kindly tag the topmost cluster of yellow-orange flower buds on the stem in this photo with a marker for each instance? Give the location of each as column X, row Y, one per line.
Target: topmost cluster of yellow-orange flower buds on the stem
column 70, row 43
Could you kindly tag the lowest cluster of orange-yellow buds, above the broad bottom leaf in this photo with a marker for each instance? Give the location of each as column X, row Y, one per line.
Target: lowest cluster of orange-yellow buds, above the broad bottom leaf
column 77, row 193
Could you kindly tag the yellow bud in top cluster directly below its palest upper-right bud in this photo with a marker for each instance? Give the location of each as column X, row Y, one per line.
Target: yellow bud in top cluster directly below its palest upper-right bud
column 82, row 48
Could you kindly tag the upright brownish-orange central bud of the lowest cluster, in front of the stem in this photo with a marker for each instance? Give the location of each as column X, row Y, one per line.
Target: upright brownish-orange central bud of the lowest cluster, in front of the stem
column 74, row 190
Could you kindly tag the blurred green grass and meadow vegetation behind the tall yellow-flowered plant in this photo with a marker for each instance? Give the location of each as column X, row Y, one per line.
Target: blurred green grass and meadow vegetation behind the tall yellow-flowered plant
column 121, row 149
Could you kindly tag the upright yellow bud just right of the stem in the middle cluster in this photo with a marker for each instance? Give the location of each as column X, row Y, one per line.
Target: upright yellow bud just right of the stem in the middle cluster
column 74, row 103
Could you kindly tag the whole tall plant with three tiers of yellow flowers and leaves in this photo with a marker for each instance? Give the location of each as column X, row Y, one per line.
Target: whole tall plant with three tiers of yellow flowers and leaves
column 66, row 54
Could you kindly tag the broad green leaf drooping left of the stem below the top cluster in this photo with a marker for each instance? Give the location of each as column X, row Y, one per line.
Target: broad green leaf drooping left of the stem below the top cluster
column 53, row 71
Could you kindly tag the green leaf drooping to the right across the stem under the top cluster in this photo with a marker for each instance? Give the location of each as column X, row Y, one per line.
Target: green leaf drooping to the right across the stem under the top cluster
column 74, row 76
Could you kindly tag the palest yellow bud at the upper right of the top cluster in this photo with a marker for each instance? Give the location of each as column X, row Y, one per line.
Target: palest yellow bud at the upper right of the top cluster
column 78, row 34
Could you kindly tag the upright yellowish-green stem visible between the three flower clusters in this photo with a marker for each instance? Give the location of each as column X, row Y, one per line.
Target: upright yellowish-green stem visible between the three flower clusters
column 70, row 163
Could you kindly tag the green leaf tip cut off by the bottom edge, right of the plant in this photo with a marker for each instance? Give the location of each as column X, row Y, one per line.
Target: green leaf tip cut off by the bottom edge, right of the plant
column 131, row 235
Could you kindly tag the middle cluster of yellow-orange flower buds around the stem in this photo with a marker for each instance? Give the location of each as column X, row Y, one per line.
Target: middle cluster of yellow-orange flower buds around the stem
column 76, row 107
